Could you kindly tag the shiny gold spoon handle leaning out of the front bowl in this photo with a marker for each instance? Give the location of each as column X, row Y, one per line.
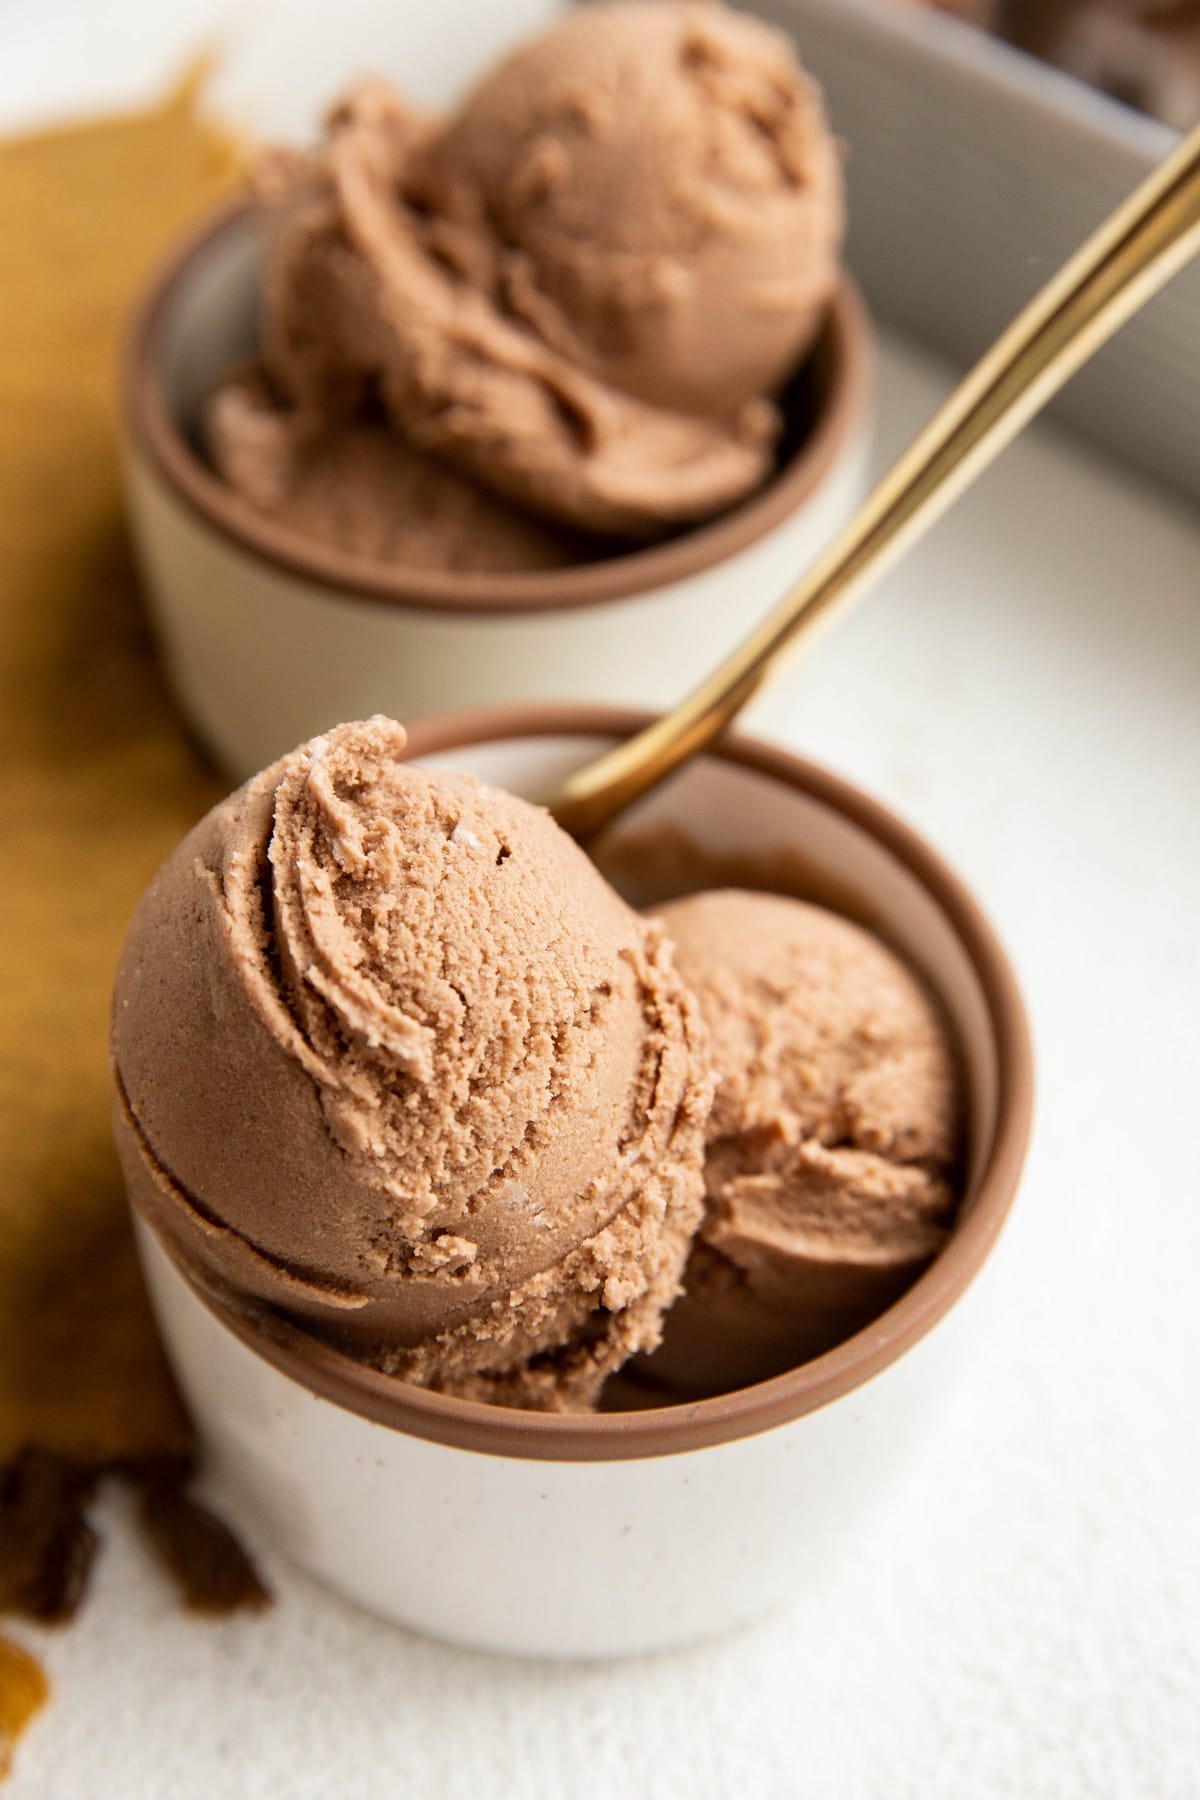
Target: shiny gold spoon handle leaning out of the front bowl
column 1136, row 251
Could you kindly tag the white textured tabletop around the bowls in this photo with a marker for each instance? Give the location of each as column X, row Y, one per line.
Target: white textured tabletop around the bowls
column 1026, row 1619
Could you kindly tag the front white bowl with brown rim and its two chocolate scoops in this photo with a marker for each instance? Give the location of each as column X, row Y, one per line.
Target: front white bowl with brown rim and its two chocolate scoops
column 416, row 1115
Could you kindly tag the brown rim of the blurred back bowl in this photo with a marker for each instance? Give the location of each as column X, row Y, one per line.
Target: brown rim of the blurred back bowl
column 156, row 433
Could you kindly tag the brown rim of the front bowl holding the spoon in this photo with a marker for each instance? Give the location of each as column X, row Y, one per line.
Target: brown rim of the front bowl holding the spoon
column 688, row 1426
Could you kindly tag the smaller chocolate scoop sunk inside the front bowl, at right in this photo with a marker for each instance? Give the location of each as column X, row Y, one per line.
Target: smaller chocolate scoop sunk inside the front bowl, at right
column 834, row 1140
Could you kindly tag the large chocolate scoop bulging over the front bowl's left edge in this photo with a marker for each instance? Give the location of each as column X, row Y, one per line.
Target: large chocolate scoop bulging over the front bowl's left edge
column 393, row 1057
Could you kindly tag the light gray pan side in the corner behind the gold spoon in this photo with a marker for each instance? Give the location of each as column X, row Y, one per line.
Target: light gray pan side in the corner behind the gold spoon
column 974, row 172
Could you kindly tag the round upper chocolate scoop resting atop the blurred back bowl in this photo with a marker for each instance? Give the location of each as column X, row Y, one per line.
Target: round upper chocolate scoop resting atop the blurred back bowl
column 663, row 193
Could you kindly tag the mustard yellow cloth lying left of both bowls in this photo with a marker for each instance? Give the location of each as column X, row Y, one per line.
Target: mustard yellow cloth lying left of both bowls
column 96, row 786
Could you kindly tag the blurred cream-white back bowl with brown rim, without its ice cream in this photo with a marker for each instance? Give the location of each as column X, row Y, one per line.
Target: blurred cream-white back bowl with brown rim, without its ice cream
column 271, row 640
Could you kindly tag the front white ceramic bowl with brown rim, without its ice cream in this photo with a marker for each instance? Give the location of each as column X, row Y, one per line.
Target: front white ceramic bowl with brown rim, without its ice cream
column 618, row 1533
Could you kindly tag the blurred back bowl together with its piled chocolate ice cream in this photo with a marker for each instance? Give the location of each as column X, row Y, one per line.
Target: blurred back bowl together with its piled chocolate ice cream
column 542, row 400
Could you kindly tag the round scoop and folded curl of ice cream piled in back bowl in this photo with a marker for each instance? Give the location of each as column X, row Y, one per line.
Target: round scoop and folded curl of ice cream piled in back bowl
column 586, row 287
